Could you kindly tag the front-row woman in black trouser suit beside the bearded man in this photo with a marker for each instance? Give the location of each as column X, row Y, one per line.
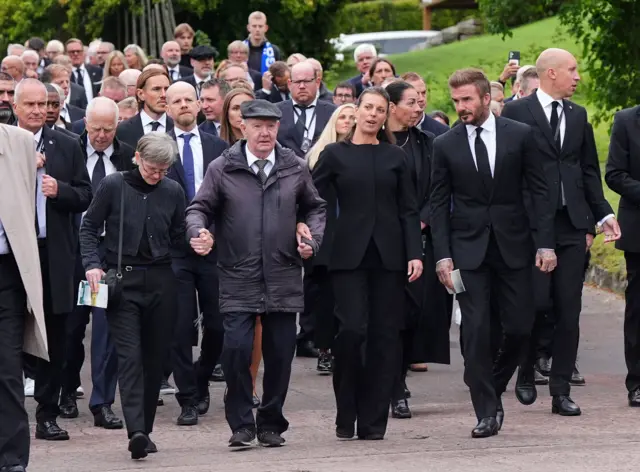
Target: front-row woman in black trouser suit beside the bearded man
column 376, row 244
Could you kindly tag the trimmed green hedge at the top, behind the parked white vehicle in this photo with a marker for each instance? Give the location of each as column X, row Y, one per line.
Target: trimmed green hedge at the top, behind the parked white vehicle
column 388, row 15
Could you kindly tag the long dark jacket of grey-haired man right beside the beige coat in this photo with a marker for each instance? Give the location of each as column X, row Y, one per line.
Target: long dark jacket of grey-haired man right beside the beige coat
column 65, row 163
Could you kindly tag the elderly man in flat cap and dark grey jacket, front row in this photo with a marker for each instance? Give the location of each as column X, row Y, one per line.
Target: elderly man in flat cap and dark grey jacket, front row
column 254, row 193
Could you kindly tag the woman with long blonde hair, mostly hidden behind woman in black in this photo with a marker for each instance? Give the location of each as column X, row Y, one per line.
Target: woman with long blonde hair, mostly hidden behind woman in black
column 318, row 293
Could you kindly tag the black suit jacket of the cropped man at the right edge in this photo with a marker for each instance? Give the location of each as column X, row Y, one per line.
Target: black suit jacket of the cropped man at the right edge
column 623, row 175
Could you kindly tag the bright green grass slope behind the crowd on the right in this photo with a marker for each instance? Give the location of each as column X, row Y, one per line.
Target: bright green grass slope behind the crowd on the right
column 489, row 53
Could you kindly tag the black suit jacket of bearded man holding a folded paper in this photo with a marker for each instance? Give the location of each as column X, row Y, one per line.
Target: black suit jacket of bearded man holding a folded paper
column 462, row 234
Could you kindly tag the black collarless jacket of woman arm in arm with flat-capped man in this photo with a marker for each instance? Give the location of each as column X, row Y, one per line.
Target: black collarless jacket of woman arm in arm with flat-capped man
column 376, row 200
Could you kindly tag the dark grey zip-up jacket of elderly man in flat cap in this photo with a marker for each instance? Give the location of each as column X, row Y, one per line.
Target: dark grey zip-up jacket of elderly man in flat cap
column 260, row 270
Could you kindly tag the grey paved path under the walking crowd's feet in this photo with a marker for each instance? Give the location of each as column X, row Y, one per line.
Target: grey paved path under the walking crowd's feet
column 604, row 438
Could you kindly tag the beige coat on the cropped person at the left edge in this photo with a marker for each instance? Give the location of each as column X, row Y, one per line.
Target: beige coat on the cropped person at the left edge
column 17, row 212
